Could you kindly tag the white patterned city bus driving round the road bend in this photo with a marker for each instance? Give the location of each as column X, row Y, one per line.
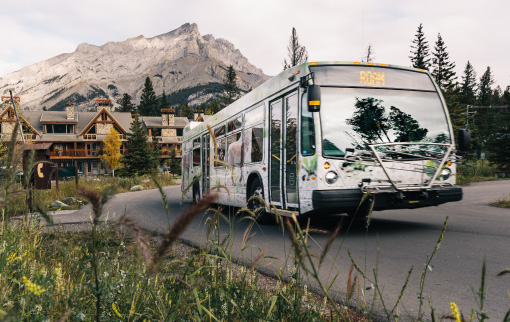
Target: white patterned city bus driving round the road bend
column 321, row 137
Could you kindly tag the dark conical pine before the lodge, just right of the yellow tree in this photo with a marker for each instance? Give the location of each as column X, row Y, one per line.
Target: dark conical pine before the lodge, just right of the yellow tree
column 140, row 157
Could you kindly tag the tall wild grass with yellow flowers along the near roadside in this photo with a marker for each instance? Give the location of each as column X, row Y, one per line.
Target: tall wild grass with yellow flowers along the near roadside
column 116, row 271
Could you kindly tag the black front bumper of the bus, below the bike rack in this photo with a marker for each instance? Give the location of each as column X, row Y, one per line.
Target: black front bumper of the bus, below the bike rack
column 345, row 200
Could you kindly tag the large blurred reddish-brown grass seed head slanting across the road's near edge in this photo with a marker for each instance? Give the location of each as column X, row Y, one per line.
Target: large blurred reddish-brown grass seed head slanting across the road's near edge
column 180, row 226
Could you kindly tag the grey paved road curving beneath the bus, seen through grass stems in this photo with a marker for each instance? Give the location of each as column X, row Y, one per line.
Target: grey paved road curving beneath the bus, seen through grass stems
column 399, row 239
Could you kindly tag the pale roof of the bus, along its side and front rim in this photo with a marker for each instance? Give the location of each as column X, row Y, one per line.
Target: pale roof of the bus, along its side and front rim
column 274, row 85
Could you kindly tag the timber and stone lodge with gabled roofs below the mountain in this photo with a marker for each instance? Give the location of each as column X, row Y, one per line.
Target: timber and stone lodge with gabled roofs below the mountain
column 77, row 137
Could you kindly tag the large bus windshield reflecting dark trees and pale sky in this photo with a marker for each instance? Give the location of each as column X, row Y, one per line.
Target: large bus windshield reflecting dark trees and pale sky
column 358, row 117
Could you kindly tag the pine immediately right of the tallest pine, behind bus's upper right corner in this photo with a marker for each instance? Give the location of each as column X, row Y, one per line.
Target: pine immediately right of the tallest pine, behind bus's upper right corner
column 443, row 69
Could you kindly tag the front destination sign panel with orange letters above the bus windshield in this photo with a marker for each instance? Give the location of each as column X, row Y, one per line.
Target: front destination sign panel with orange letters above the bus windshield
column 371, row 76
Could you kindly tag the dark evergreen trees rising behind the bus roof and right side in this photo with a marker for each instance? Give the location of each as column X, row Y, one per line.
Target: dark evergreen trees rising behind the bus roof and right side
column 472, row 102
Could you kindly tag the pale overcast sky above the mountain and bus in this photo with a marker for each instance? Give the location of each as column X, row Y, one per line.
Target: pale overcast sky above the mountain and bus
column 340, row 30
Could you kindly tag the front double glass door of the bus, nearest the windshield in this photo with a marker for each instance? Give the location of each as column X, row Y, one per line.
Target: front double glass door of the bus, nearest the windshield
column 283, row 152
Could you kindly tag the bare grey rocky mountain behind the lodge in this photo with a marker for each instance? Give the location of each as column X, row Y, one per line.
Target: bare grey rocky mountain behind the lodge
column 179, row 61
